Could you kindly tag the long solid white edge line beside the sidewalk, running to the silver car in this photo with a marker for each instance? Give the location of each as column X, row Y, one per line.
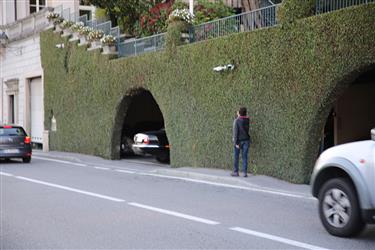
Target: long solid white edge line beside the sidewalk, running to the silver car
column 233, row 186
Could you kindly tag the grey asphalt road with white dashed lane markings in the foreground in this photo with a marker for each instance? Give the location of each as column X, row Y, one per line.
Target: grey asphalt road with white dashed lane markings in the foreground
column 56, row 204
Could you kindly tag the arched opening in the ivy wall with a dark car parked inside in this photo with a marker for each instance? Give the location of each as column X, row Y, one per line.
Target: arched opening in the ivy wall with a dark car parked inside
column 141, row 114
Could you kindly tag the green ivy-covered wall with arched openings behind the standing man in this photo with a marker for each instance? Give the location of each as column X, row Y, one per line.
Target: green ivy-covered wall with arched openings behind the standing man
column 287, row 76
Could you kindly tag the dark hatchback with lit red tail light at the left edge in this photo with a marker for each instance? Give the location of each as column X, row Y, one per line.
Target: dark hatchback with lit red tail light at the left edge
column 14, row 143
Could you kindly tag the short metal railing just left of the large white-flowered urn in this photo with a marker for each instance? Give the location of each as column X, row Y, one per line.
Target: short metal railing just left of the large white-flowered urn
column 142, row 45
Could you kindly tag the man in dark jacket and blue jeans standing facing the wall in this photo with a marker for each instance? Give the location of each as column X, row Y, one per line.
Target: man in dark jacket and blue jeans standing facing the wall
column 241, row 139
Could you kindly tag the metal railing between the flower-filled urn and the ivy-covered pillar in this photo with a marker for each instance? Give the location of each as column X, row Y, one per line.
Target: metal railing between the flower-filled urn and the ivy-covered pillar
column 257, row 19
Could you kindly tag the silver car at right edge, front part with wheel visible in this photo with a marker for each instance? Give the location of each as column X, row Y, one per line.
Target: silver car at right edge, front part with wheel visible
column 344, row 182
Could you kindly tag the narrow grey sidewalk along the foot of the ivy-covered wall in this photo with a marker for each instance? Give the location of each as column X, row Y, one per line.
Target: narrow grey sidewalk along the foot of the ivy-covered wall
column 206, row 175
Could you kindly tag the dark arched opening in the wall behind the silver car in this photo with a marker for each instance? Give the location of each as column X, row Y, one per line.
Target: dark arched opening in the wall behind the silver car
column 352, row 115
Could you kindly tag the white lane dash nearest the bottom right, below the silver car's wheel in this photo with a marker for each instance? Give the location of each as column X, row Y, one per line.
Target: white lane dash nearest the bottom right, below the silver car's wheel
column 277, row 238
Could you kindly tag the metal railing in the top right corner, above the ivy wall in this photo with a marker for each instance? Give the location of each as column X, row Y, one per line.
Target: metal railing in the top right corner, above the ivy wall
column 323, row 6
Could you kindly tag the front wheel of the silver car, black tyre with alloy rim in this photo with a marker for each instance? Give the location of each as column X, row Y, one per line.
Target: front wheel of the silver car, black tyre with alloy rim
column 339, row 208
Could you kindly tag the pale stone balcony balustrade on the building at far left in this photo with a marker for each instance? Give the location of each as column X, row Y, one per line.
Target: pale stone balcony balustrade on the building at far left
column 28, row 26
